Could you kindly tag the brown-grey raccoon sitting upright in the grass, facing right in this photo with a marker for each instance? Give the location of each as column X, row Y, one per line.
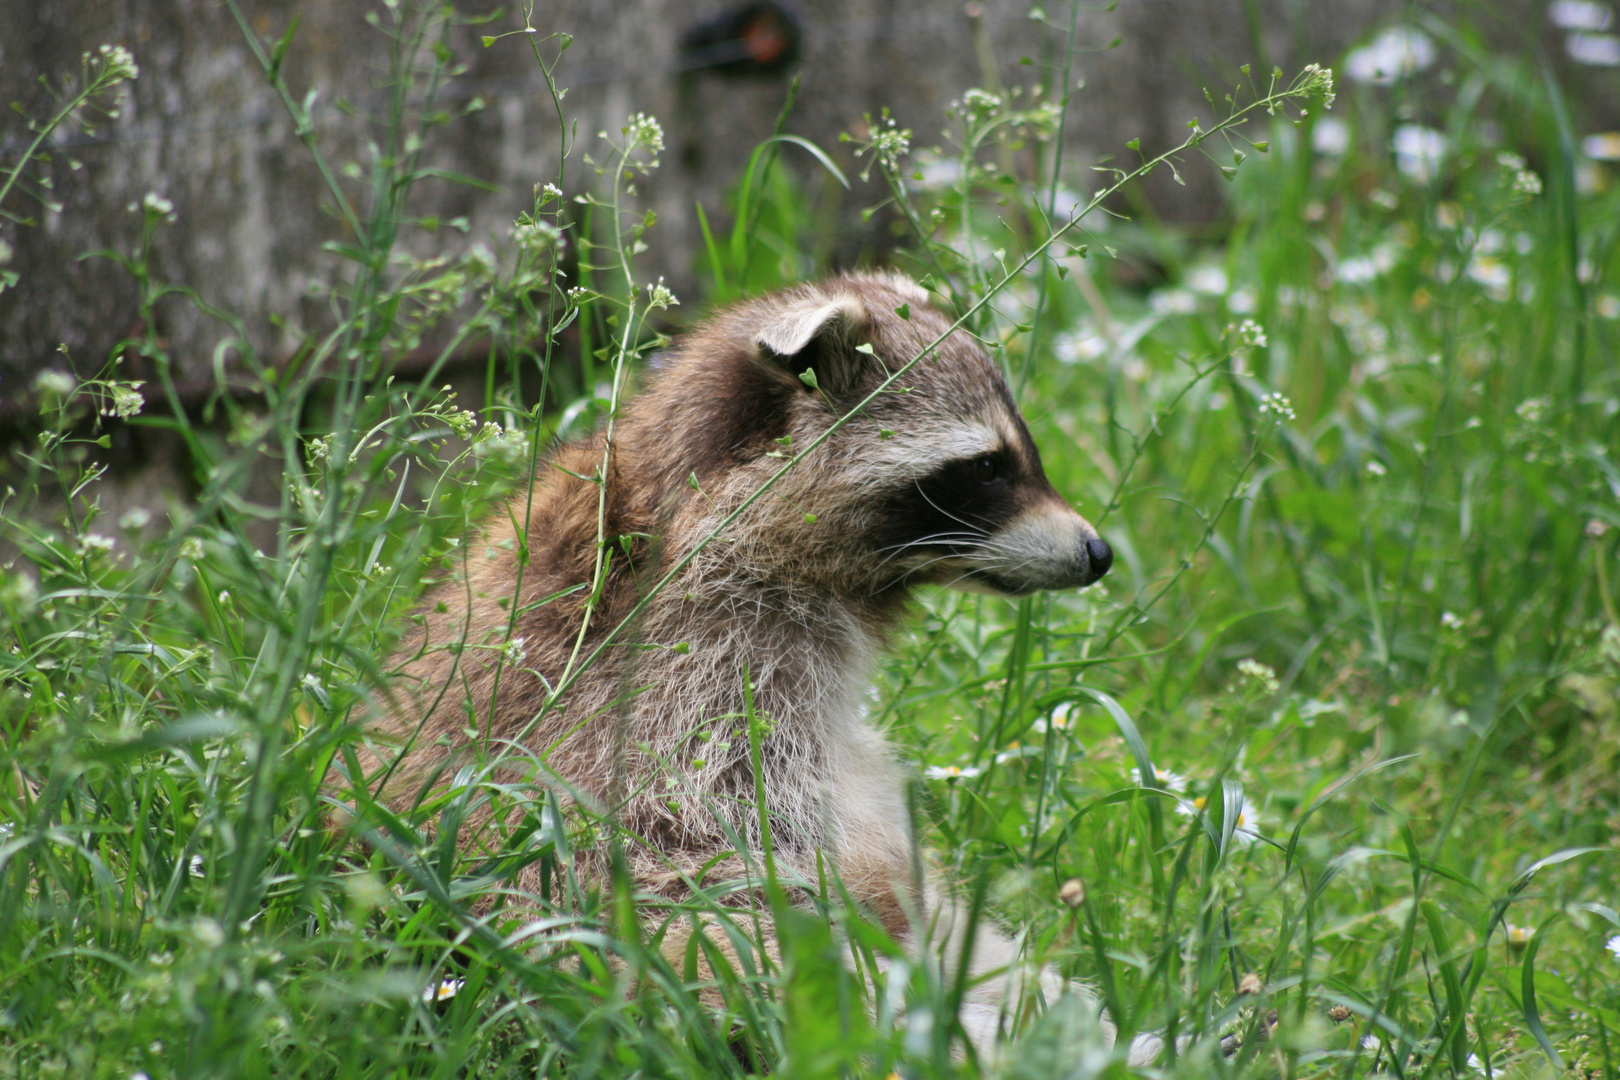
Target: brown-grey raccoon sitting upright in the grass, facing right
column 937, row 482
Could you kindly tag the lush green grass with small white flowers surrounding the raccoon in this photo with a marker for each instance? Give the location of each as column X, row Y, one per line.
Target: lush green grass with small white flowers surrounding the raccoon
column 1378, row 621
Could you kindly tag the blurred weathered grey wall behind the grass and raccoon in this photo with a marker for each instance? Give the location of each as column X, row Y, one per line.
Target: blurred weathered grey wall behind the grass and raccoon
column 202, row 129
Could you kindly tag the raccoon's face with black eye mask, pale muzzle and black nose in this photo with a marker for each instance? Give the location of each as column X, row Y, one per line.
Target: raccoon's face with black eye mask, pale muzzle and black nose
column 945, row 483
